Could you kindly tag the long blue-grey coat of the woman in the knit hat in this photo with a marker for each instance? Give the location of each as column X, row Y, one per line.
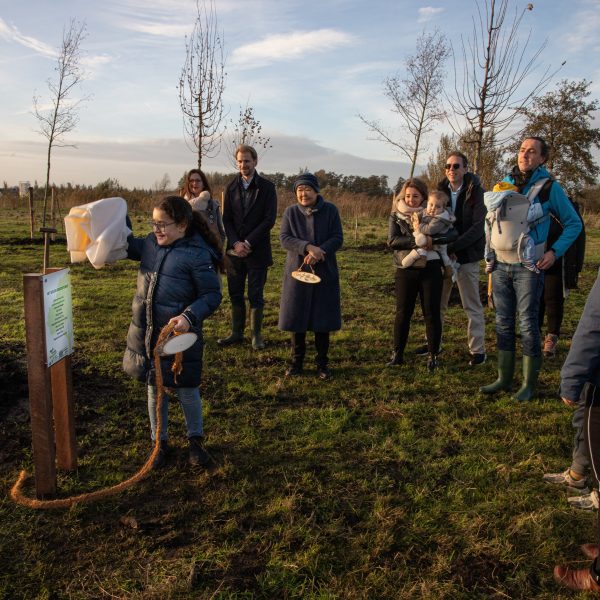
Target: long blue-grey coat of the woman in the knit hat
column 305, row 306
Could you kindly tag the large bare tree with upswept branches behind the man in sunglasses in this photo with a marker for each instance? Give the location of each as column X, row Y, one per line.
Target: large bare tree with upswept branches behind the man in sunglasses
column 495, row 67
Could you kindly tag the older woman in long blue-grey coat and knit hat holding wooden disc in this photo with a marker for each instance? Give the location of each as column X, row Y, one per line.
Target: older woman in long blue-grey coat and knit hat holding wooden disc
column 311, row 232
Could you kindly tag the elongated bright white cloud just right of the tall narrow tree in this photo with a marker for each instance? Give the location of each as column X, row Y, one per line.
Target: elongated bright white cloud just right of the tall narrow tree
column 289, row 46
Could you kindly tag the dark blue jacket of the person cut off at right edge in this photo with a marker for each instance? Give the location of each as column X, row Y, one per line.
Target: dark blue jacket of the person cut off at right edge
column 583, row 361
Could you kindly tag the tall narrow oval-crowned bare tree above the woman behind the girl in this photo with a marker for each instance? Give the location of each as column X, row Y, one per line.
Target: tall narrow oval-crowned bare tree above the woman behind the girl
column 202, row 83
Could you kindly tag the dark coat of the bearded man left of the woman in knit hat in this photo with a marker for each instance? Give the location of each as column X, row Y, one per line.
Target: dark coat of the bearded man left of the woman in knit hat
column 253, row 224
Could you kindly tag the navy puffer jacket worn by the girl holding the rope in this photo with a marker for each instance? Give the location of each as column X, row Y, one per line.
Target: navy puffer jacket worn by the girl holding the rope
column 175, row 279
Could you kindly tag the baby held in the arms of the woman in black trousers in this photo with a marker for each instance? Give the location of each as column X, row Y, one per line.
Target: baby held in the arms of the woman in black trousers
column 436, row 219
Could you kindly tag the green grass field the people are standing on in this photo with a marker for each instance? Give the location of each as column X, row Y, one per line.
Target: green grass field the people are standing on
column 381, row 483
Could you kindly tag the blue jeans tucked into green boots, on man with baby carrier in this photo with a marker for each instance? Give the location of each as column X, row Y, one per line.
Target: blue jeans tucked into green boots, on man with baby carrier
column 517, row 290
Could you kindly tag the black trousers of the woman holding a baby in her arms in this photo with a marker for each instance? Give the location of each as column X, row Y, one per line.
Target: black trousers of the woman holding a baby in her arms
column 426, row 283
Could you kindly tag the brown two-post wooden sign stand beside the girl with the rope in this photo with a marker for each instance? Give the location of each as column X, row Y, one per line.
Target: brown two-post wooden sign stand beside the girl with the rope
column 50, row 385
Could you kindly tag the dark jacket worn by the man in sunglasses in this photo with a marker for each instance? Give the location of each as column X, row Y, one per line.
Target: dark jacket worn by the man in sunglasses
column 470, row 219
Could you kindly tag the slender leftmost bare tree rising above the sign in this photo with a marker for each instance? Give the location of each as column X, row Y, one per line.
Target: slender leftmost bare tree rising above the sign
column 62, row 116
